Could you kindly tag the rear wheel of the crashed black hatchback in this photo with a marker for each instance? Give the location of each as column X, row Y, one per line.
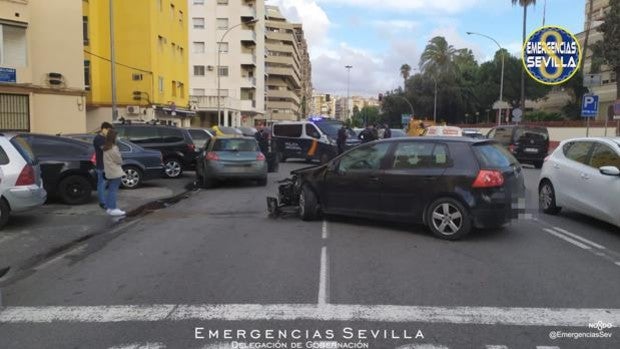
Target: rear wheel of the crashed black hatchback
column 448, row 219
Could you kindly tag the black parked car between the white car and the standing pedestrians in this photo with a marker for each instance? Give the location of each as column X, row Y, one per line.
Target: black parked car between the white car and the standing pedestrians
column 66, row 169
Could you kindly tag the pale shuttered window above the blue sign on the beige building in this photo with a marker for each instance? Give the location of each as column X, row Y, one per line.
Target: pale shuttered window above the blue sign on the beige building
column 13, row 46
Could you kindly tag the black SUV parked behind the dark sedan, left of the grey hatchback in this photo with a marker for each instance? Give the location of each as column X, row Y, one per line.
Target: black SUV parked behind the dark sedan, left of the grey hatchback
column 175, row 144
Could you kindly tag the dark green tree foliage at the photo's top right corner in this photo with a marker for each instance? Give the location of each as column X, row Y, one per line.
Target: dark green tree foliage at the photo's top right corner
column 610, row 45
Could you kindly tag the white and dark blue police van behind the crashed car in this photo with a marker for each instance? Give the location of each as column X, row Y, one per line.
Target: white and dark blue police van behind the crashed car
column 314, row 139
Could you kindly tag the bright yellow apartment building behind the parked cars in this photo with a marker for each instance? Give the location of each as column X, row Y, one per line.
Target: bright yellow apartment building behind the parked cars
column 151, row 61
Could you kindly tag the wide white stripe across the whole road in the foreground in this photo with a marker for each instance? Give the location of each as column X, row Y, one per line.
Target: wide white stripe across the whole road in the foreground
column 550, row 317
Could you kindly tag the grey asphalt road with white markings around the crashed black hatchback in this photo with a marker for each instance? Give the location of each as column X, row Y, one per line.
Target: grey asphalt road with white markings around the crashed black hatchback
column 216, row 262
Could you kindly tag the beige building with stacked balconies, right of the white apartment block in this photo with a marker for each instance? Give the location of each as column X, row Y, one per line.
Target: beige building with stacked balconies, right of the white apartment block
column 288, row 68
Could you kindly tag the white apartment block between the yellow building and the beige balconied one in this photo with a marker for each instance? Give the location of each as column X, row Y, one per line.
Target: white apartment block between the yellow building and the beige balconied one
column 229, row 34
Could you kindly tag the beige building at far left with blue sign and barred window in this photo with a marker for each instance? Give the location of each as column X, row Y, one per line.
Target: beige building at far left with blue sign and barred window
column 41, row 67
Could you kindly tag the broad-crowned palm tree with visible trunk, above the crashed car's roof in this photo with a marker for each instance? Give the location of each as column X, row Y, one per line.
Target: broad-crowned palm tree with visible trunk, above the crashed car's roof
column 437, row 60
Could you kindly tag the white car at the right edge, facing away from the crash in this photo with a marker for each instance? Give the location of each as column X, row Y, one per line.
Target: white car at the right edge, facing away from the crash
column 583, row 175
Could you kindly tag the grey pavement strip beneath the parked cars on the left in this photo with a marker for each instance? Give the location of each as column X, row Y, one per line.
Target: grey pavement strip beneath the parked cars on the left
column 32, row 235
